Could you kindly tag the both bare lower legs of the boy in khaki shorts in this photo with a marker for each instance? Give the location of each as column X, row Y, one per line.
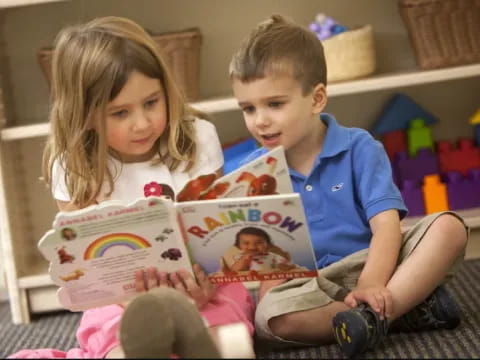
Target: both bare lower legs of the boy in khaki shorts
column 412, row 282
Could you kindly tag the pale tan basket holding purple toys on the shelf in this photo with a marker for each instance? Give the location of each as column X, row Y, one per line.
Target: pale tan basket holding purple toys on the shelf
column 350, row 55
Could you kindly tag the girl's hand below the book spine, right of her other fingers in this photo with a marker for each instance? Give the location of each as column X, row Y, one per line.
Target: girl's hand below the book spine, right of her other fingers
column 200, row 290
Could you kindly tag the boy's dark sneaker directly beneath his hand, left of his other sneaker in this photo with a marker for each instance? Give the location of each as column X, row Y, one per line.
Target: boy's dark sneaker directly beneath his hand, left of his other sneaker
column 358, row 329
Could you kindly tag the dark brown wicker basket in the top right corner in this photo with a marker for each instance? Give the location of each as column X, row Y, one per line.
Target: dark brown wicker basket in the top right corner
column 443, row 32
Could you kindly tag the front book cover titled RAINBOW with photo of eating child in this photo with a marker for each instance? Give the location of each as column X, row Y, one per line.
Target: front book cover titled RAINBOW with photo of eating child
column 249, row 238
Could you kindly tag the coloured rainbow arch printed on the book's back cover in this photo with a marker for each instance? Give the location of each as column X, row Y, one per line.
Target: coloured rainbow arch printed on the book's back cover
column 99, row 247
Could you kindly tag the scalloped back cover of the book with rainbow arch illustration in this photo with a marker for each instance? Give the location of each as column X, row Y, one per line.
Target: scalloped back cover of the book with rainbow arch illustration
column 94, row 252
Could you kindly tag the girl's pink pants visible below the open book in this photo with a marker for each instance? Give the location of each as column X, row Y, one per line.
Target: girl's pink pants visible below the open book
column 97, row 333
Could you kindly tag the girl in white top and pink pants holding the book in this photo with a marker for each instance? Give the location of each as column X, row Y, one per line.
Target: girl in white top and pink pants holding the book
column 120, row 127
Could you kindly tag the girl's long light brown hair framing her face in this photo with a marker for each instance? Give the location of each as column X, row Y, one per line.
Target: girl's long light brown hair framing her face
column 91, row 64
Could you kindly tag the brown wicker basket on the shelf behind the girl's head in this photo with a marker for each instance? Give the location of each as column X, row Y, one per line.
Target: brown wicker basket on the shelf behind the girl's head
column 181, row 51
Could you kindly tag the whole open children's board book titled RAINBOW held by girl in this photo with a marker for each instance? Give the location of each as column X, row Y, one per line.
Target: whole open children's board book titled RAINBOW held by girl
column 94, row 252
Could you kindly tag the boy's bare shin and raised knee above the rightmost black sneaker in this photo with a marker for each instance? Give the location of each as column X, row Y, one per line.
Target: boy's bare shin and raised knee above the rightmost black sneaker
column 427, row 265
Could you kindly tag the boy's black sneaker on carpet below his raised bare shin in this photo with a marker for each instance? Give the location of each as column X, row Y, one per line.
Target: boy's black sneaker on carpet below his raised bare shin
column 438, row 311
